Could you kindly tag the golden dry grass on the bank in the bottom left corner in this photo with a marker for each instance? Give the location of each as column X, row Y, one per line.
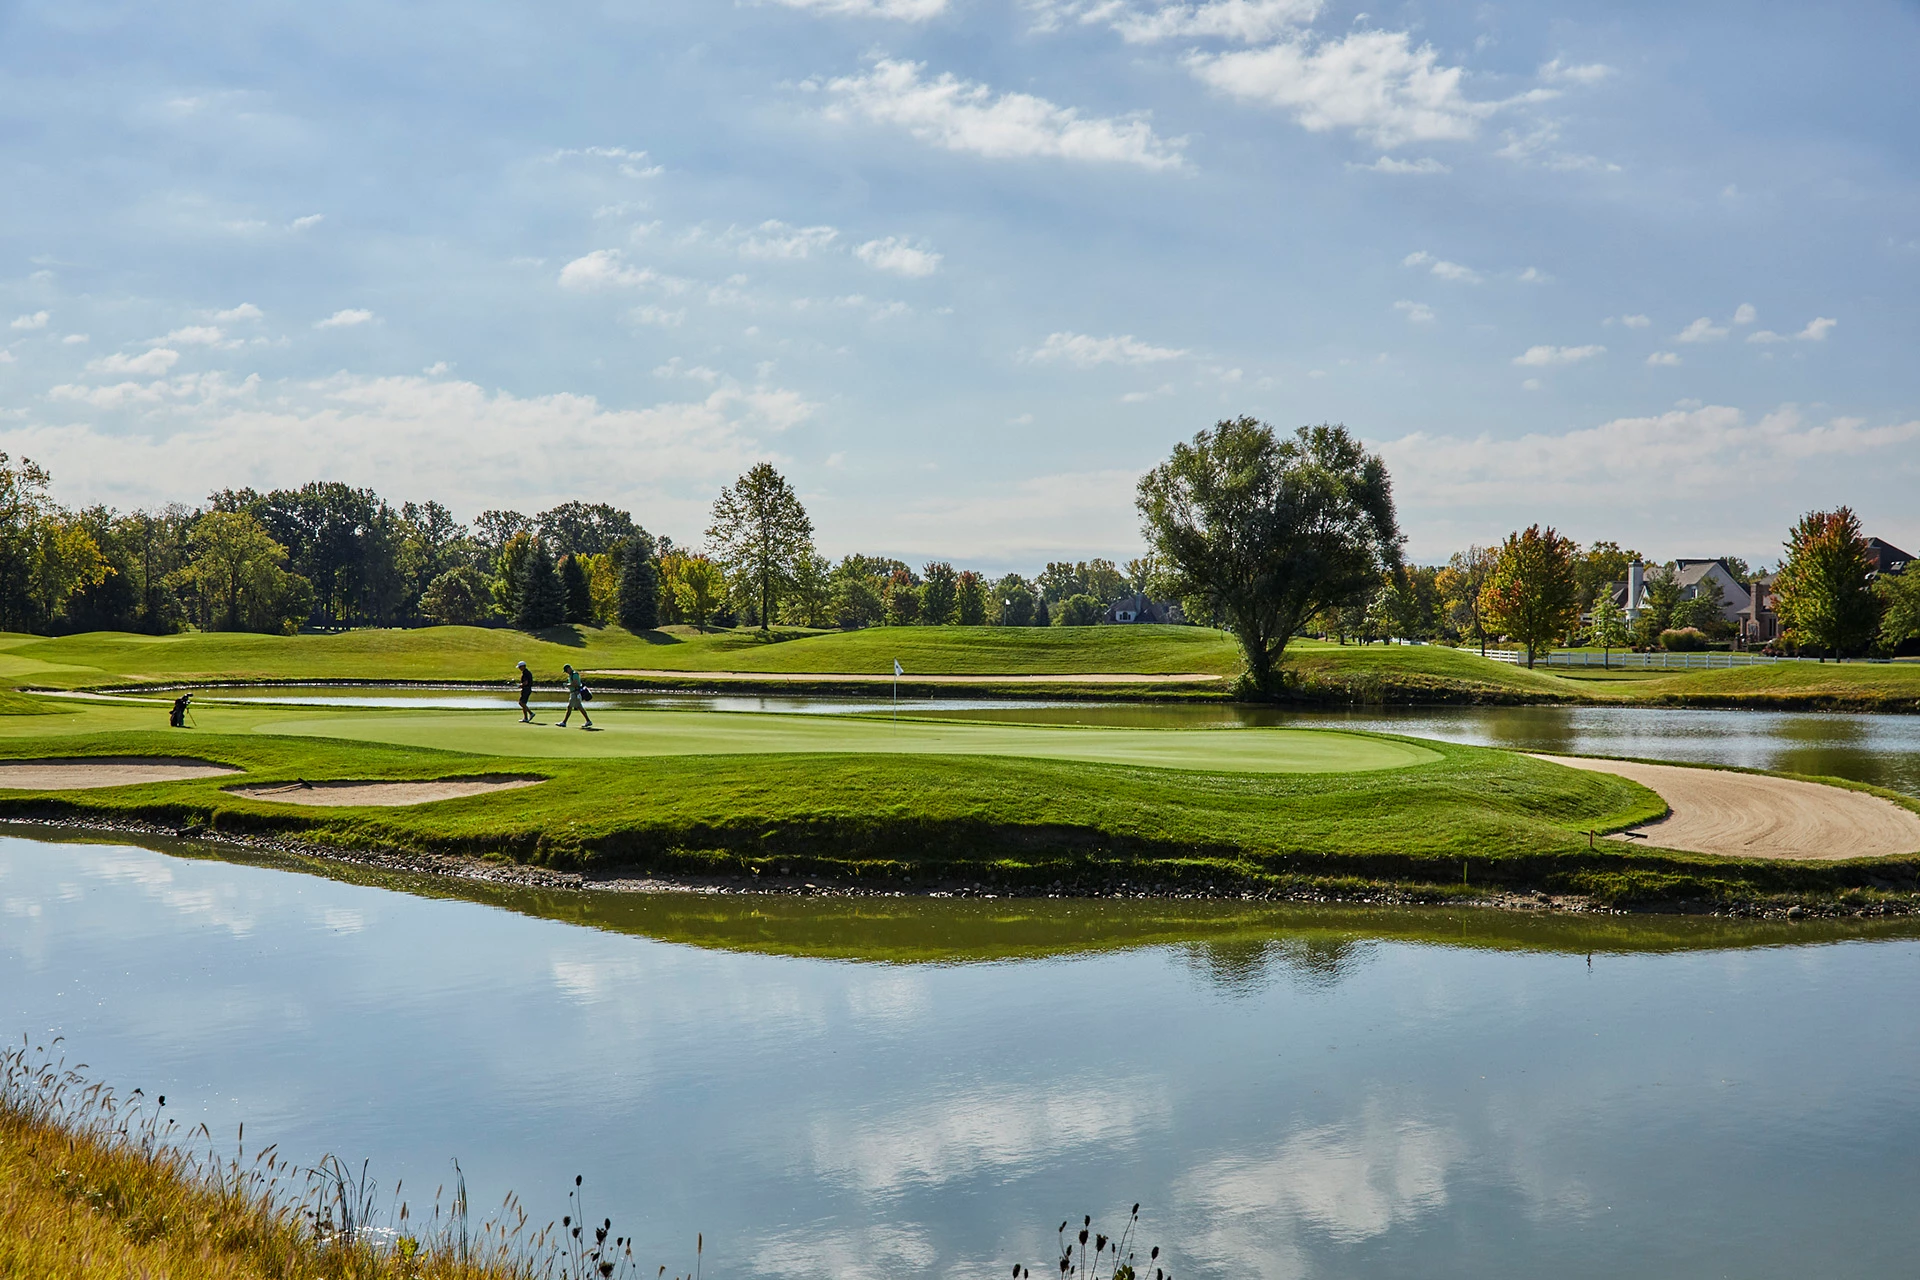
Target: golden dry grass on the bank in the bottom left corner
column 99, row 1185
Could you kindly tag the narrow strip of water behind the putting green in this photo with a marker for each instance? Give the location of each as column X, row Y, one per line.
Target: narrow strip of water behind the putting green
column 1869, row 749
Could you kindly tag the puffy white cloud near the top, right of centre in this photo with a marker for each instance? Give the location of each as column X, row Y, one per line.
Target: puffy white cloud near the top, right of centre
column 1374, row 83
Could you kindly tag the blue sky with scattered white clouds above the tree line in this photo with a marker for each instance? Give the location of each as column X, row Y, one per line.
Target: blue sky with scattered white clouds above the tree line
column 965, row 270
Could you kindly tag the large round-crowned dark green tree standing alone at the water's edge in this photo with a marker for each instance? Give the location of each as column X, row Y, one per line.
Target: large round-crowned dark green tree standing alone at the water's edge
column 1270, row 531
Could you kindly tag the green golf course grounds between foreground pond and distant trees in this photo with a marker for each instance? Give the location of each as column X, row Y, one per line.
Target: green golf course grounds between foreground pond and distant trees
column 876, row 797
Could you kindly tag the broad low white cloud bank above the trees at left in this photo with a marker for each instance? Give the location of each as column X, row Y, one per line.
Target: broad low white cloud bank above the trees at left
column 448, row 437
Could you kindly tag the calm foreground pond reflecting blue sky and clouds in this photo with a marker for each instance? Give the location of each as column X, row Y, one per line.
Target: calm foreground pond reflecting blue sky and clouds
column 888, row 1087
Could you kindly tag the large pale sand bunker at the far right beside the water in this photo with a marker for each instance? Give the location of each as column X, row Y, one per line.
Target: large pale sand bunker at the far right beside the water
column 1756, row 817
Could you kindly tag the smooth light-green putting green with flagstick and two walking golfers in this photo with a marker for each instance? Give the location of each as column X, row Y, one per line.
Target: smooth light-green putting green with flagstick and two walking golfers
column 731, row 734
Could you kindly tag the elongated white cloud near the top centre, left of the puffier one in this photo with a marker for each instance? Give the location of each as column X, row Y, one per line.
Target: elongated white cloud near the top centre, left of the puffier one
column 963, row 116
